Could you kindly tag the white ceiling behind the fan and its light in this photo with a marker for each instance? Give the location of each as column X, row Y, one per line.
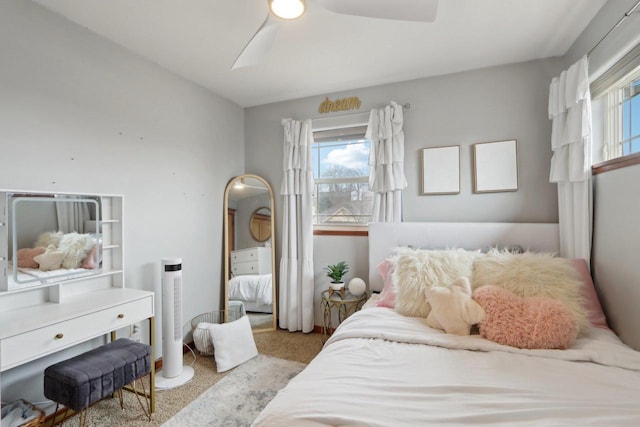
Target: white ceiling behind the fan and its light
column 324, row 52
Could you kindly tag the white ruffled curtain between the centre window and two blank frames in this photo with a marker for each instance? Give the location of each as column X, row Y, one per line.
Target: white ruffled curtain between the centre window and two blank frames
column 386, row 162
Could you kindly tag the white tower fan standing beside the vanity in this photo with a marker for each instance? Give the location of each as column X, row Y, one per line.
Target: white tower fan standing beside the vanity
column 173, row 373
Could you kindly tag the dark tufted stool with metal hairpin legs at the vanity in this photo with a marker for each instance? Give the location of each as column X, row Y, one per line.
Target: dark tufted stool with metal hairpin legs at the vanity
column 82, row 380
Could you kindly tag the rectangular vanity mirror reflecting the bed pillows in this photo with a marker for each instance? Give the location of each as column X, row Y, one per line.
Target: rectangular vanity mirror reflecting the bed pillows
column 49, row 238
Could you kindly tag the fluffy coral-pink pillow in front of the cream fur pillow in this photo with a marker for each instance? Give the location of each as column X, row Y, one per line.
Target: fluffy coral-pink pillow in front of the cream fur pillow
column 525, row 322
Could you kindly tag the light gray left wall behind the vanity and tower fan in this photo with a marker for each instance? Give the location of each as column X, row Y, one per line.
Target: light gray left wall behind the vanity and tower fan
column 81, row 114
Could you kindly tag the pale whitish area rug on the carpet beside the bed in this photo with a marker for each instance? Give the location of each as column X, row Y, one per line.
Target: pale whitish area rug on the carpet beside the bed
column 238, row 398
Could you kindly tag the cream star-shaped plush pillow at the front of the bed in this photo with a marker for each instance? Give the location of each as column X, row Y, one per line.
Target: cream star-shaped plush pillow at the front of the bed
column 452, row 308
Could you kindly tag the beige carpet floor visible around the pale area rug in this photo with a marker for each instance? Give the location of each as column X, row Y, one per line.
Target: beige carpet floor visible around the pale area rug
column 294, row 346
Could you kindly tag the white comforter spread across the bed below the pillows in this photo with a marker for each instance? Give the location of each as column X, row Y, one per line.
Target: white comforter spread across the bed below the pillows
column 383, row 369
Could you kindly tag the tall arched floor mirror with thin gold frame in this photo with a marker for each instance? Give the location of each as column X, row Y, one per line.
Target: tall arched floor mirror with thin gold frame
column 250, row 285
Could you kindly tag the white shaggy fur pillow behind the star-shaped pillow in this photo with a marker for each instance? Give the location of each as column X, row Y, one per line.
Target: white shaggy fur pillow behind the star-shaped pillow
column 418, row 269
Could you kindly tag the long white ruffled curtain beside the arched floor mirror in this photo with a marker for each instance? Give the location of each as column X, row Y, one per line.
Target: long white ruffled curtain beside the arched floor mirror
column 296, row 265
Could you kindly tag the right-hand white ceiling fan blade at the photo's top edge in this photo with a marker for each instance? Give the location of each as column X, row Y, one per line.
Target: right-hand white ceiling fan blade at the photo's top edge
column 400, row 10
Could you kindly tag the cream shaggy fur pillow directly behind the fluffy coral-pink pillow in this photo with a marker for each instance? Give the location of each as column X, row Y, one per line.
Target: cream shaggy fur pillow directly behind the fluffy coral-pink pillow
column 533, row 274
